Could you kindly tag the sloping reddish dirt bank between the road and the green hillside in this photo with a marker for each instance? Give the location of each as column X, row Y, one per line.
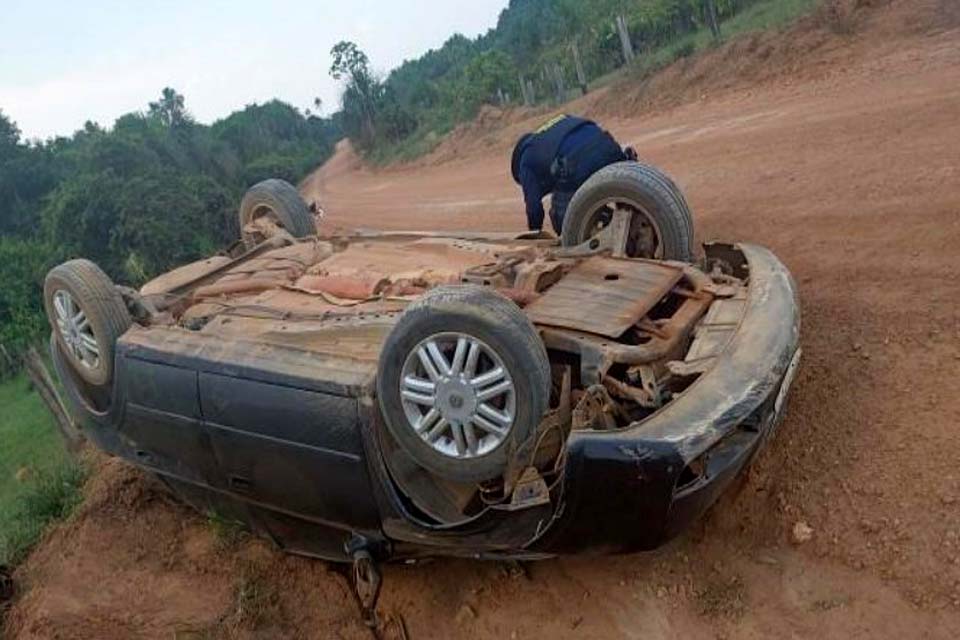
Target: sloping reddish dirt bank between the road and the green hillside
column 814, row 47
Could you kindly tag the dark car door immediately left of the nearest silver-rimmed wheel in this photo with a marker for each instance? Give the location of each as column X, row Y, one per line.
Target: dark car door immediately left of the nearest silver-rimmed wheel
column 291, row 449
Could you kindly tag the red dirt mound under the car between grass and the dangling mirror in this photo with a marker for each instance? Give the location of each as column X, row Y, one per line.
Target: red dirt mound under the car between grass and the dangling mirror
column 135, row 563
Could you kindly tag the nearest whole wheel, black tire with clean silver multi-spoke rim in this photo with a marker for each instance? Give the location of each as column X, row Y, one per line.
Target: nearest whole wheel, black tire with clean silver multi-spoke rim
column 464, row 381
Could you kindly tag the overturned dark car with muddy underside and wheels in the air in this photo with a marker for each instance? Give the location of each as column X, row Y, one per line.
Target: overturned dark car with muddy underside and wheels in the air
column 395, row 395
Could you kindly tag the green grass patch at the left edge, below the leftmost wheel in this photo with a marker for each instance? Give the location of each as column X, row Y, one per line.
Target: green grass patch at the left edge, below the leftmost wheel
column 39, row 483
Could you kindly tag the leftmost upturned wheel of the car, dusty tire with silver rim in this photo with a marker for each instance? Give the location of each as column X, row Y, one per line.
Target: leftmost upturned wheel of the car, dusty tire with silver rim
column 105, row 318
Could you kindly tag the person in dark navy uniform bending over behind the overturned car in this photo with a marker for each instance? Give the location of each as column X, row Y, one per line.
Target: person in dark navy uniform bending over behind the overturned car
column 557, row 158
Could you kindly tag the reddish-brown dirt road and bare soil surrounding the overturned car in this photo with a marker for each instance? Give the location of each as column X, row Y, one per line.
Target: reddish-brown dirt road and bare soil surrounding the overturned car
column 847, row 165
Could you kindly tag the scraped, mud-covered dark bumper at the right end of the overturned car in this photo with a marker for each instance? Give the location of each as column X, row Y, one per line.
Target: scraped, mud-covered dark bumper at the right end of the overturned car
column 636, row 488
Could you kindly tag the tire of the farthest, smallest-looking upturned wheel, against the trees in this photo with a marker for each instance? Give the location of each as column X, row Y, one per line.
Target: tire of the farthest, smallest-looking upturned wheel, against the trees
column 281, row 200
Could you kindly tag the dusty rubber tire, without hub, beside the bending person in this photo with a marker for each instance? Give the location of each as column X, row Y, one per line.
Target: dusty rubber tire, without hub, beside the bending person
column 647, row 189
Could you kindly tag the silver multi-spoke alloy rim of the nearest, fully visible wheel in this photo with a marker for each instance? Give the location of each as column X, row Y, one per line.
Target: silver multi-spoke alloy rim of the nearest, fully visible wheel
column 458, row 395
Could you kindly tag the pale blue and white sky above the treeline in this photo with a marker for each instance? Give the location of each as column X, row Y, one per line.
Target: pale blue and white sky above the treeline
column 63, row 62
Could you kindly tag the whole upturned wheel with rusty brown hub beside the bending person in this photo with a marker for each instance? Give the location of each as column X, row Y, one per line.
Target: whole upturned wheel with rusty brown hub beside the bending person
column 659, row 225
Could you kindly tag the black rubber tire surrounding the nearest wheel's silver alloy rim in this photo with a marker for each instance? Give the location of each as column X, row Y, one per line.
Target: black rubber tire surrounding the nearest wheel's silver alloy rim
column 481, row 314
